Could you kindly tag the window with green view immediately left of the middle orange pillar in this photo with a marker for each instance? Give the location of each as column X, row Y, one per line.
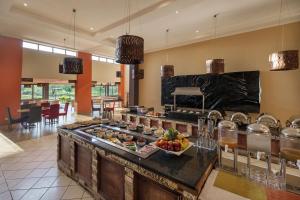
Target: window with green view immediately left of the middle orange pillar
column 62, row 92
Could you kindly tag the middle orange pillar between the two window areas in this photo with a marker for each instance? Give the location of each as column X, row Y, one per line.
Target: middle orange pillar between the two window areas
column 83, row 93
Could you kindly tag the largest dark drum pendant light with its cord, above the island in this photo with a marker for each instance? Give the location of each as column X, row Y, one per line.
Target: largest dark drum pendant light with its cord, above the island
column 129, row 48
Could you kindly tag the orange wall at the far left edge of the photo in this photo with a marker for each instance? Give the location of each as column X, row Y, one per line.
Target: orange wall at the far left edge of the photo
column 10, row 71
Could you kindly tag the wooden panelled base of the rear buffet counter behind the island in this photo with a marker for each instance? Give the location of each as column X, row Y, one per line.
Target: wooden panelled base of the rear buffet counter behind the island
column 189, row 127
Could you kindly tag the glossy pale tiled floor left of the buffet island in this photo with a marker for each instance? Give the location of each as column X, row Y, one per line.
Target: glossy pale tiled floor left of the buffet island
column 28, row 168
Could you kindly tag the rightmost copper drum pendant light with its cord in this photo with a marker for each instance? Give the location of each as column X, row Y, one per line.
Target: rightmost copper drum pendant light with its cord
column 285, row 59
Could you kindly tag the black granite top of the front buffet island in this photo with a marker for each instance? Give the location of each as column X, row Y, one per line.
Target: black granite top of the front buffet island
column 186, row 169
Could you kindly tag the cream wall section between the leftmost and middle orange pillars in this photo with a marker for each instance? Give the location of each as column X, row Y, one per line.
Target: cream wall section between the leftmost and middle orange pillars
column 37, row 64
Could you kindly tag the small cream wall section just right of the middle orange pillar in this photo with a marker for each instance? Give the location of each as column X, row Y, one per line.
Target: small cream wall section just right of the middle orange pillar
column 105, row 72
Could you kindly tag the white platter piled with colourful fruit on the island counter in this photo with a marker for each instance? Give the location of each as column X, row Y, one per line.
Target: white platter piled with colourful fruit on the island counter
column 172, row 142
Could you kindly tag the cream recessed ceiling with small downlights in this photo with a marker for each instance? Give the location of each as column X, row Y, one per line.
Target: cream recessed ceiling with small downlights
column 99, row 22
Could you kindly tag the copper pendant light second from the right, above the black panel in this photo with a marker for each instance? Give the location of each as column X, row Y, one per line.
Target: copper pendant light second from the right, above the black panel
column 215, row 65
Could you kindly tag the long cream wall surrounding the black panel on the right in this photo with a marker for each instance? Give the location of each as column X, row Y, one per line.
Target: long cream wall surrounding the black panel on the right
column 243, row 52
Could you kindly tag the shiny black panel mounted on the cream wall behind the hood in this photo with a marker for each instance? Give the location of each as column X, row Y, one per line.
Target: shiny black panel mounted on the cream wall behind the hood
column 236, row 91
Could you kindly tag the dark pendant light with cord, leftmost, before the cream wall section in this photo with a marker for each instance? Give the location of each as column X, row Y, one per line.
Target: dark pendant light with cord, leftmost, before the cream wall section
column 72, row 65
